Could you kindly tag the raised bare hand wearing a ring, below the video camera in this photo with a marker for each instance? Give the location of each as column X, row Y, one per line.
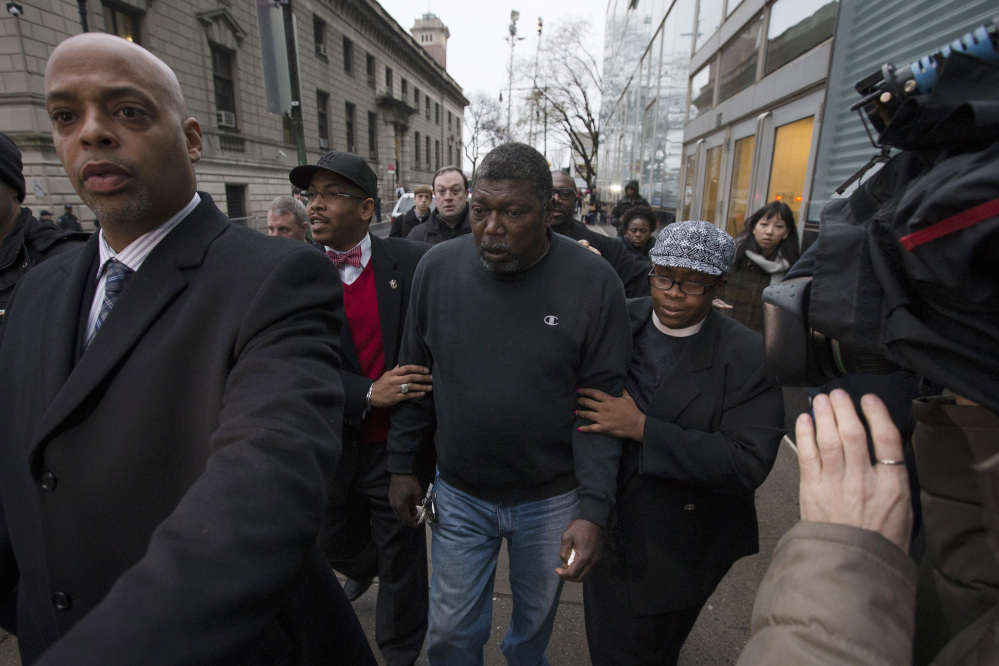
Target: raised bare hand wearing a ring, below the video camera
column 838, row 482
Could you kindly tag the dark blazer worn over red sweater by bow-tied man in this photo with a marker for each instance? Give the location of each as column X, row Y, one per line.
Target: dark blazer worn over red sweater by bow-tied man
column 393, row 261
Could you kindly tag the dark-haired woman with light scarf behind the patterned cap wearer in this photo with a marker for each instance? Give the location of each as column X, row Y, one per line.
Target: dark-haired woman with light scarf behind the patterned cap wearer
column 765, row 248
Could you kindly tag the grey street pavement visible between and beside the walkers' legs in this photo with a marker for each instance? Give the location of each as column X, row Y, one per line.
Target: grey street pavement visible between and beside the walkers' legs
column 721, row 630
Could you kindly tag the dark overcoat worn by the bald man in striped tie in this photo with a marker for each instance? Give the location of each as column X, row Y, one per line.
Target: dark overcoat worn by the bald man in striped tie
column 163, row 489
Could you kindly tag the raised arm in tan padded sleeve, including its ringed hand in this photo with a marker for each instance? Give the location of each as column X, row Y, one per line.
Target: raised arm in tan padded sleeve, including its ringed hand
column 840, row 588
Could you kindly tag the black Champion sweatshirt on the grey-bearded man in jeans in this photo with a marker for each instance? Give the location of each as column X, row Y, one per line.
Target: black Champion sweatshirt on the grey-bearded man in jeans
column 507, row 354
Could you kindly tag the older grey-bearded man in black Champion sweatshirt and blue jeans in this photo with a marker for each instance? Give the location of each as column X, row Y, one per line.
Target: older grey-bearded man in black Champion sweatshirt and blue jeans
column 511, row 321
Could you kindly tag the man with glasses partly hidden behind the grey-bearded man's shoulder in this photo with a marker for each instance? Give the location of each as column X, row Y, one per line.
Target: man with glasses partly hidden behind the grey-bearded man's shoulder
column 632, row 270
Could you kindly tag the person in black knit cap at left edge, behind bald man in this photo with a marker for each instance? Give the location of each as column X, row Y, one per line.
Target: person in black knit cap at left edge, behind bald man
column 24, row 241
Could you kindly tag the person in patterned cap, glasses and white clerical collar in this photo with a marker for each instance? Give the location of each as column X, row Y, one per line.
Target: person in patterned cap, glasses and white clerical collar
column 701, row 430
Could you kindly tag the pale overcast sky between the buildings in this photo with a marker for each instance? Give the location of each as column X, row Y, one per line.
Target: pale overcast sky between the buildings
column 478, row 53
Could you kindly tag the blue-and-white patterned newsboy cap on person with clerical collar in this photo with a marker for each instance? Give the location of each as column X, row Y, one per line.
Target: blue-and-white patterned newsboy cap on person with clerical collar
column 700, row 246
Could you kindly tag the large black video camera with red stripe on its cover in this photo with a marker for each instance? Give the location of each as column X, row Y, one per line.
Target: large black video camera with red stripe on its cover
column 904, row 271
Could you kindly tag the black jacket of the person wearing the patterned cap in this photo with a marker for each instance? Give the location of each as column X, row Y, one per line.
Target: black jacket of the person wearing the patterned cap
column 685, row 506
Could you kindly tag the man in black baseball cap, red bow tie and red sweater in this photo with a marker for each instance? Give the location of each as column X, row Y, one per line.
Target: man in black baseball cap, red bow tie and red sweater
column 340, row 191
